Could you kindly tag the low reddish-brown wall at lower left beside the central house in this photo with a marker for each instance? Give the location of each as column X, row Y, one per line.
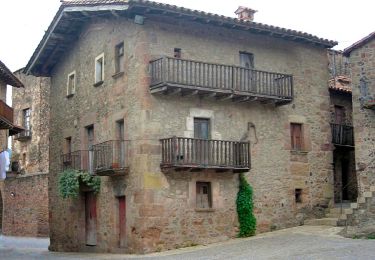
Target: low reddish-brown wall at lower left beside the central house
column 25, row 205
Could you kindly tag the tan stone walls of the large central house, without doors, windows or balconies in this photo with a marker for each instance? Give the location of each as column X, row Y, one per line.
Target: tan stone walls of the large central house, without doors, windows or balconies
column 161, row 211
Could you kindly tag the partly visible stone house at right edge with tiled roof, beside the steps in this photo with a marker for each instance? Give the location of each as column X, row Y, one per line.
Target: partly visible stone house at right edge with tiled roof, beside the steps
column 361, row 57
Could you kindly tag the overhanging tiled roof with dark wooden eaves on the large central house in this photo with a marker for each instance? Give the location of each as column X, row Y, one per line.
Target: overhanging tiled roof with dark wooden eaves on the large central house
column 72, row 14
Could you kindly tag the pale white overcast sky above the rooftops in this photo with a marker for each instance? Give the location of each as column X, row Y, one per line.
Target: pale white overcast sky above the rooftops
column 25, row 21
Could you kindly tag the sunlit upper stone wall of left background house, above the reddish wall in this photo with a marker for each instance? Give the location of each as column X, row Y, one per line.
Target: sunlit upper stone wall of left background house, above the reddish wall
column 32, row 152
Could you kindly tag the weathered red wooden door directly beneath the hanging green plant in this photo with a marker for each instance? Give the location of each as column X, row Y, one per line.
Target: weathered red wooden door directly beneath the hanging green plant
column 90, row 218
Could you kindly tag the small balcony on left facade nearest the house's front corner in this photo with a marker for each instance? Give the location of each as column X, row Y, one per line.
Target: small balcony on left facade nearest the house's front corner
column 111, row 158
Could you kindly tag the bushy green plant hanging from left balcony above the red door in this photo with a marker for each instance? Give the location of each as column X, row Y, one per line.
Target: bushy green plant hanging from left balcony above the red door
column 70, row 180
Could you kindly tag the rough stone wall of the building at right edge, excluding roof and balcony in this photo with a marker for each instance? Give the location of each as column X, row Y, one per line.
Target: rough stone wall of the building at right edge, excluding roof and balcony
column 362, row 62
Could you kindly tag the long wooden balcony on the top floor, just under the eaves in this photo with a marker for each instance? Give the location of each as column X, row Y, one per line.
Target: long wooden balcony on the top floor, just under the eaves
column 223, row 82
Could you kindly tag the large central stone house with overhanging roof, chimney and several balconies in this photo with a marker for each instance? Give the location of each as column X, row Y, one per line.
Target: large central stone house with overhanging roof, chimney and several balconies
column 168, row 105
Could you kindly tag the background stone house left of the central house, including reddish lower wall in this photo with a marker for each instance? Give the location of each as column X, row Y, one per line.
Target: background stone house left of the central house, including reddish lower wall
column 30, row 149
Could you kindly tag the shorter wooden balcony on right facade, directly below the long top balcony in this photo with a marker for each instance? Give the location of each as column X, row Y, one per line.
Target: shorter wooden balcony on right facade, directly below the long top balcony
column 180, row 153
